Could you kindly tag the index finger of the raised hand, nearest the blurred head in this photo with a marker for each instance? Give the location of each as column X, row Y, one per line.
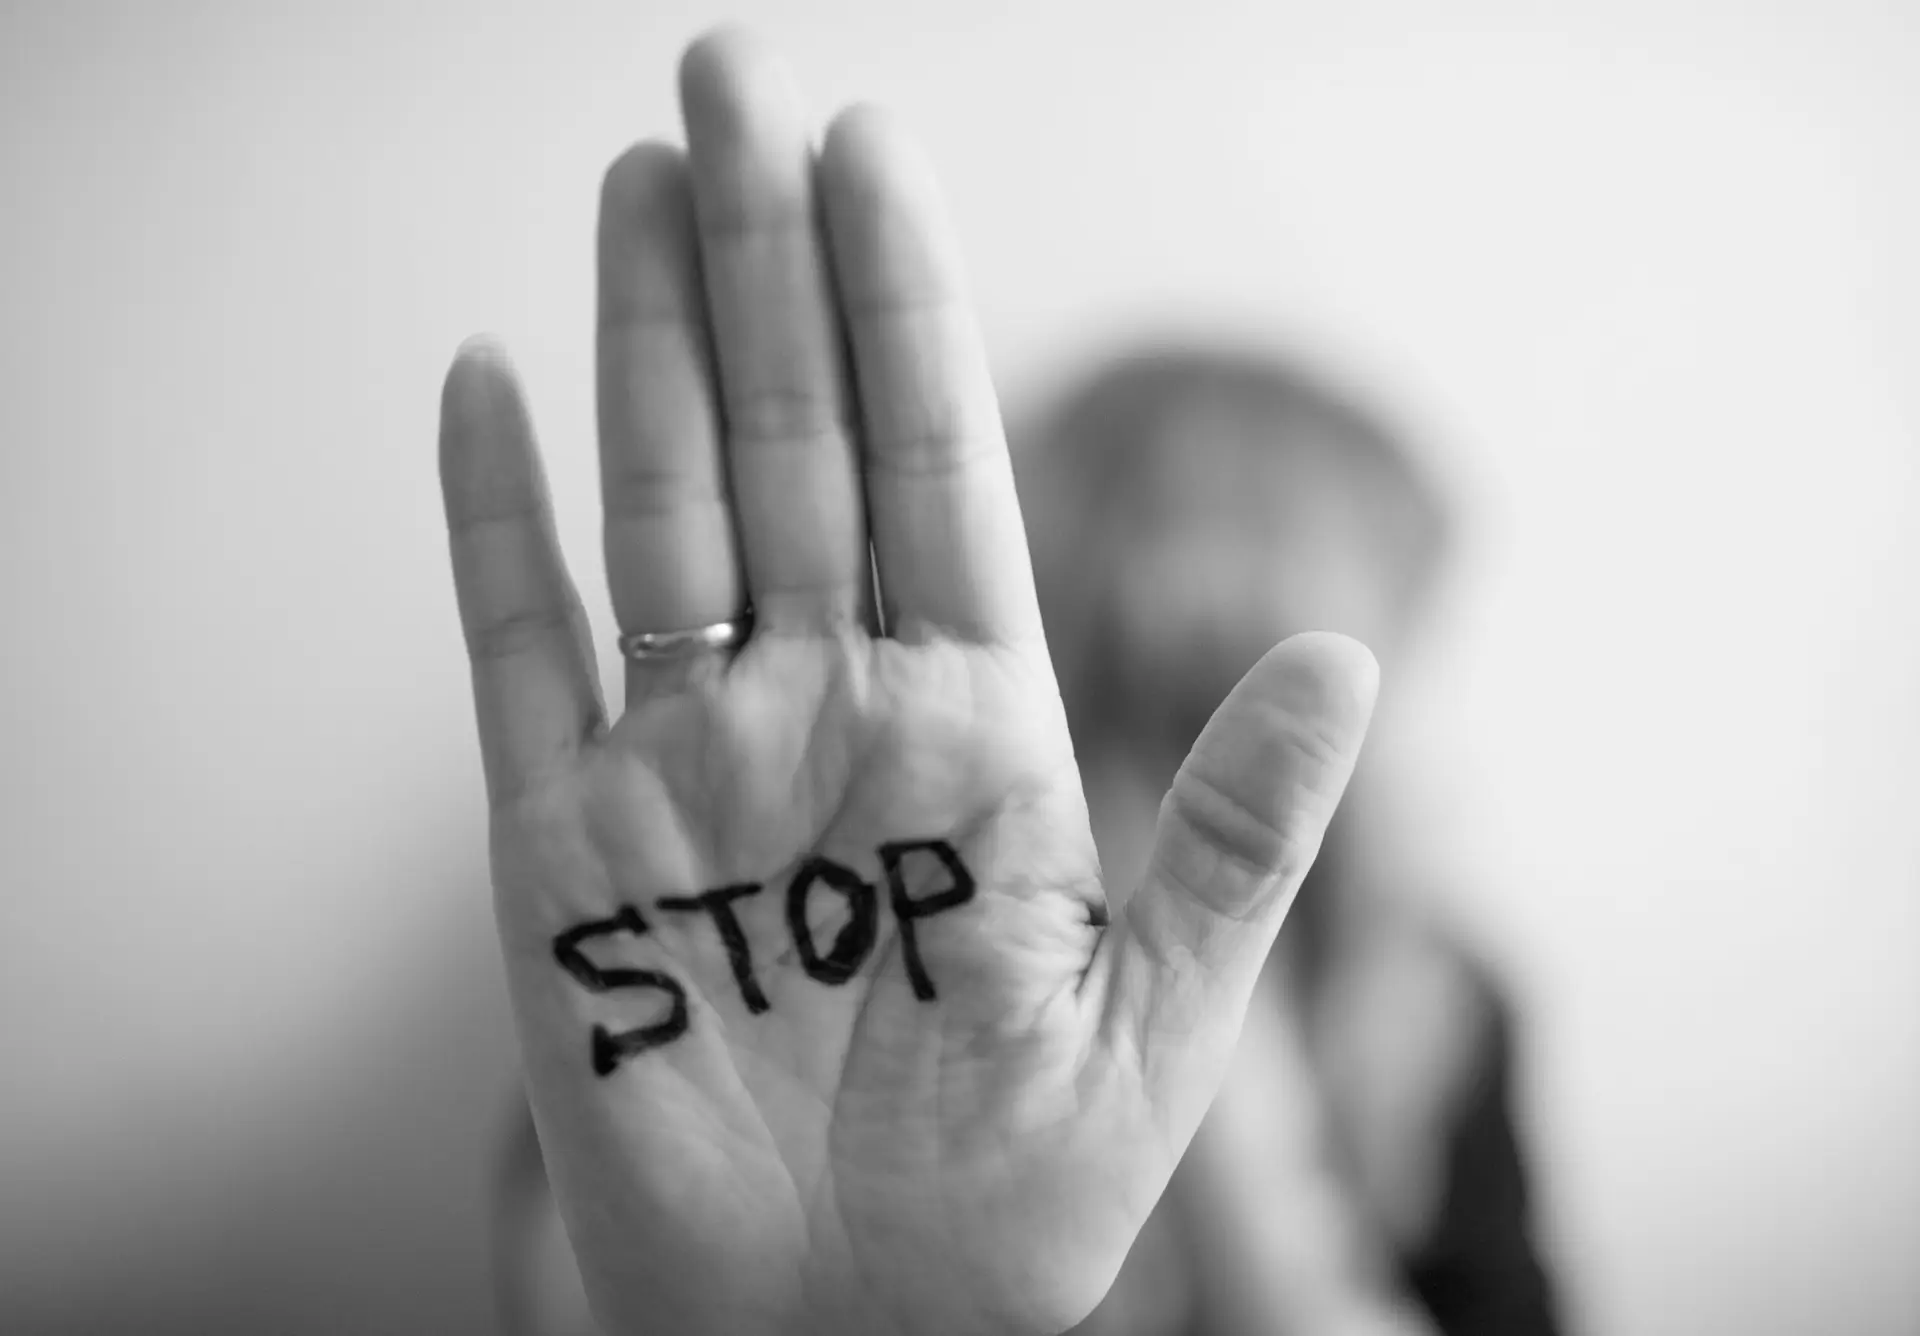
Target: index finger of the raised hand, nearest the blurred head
column 940, row 485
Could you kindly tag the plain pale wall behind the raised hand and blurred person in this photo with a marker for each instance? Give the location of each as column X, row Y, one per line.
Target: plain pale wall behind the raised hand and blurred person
column 1643, row 277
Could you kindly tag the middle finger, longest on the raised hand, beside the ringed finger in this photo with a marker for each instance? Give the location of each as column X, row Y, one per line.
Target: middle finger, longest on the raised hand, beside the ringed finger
column 782, row 375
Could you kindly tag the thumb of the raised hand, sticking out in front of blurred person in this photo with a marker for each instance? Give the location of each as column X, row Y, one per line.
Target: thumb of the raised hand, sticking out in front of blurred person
column 1237, row 834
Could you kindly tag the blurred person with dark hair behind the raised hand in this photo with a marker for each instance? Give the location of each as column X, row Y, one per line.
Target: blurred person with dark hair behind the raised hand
column 1360, row 1172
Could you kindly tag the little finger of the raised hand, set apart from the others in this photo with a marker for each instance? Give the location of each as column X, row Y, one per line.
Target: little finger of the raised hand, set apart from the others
column 527, row 636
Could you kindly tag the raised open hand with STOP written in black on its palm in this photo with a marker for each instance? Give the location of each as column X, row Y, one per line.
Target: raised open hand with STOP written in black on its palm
column 792, row 387
